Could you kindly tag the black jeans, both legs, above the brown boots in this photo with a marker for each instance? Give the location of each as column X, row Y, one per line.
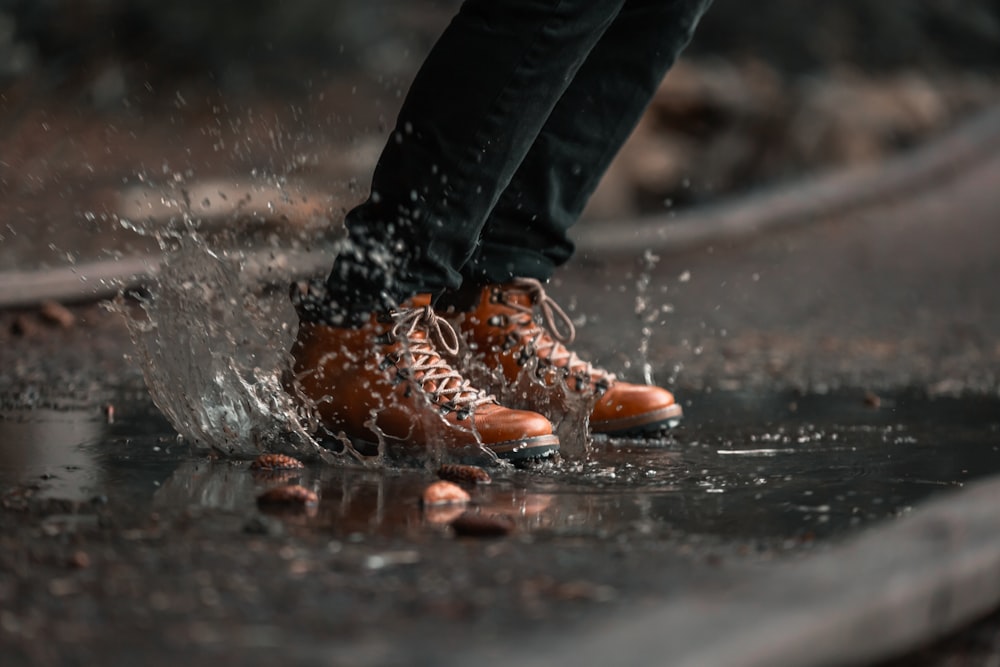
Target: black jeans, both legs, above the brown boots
column 506, row 130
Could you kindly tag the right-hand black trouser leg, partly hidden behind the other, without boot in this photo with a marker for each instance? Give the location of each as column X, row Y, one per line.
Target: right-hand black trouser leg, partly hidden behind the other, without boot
column 525, row 235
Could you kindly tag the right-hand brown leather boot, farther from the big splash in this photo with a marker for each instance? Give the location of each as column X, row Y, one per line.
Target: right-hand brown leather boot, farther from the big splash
column 503, row 331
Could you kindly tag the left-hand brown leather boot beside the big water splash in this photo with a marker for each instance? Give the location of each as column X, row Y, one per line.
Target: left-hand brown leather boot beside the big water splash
column 387, row 381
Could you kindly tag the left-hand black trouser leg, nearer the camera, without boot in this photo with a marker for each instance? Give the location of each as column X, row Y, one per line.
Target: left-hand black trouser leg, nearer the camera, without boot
column 471, row 115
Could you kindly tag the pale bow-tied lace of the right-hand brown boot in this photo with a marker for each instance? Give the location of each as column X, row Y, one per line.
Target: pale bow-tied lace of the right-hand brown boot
column 549, row 340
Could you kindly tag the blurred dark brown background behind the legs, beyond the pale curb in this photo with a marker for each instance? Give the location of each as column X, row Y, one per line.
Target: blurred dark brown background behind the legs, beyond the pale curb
column 100, row 95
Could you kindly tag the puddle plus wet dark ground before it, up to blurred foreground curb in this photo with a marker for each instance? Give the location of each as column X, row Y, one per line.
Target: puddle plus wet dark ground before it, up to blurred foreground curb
column 168, row 546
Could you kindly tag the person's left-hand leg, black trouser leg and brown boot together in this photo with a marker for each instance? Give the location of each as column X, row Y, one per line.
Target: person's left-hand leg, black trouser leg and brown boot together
column 371, row 358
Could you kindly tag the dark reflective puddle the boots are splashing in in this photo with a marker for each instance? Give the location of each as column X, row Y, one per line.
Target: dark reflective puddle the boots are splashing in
column 777, row 469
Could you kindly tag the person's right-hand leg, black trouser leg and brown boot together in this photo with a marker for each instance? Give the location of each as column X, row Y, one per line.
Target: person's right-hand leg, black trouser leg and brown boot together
column 508, row 322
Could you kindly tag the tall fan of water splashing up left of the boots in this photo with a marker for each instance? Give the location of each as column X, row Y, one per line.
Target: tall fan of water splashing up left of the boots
column 213, row 353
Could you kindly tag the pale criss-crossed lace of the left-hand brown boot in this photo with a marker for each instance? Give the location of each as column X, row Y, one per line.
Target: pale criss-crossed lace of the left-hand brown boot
column 423, row 333
